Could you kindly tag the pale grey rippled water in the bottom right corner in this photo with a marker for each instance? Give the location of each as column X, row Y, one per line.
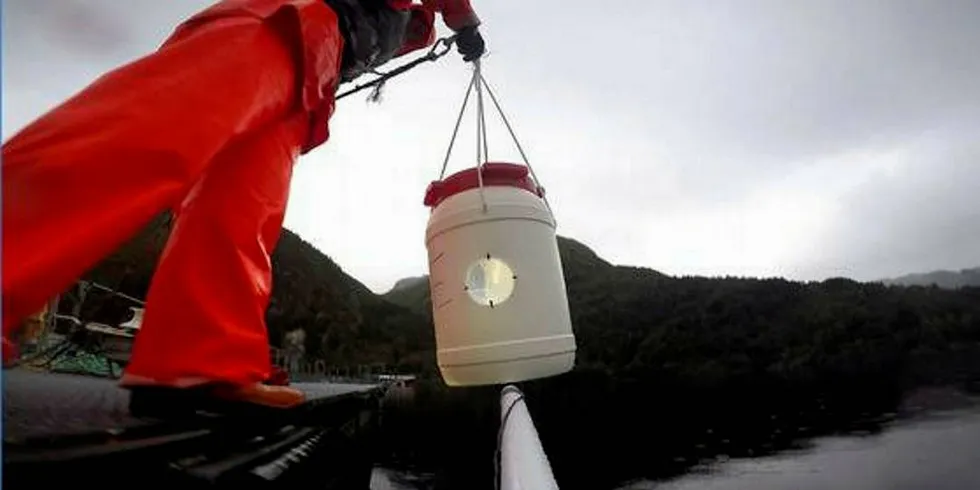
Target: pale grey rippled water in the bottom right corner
column 938, row 452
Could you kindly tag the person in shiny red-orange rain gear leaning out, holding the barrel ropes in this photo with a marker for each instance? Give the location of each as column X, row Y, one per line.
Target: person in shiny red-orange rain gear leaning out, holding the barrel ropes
column 209, row 125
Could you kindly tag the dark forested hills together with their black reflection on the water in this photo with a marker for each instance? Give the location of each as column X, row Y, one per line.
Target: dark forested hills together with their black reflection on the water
column 669, row 369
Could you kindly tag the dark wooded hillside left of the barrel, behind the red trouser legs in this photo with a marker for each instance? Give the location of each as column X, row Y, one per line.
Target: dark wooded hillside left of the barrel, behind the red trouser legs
column 345, row 323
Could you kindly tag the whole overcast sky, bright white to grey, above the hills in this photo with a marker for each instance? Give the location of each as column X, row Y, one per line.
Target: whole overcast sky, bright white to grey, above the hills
column 765, row 138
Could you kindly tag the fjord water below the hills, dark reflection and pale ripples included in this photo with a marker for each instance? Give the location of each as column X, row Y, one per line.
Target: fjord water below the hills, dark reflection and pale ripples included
column 853, row 438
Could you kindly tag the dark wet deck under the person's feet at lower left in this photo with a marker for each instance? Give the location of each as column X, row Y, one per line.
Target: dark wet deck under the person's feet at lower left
column 58, row 424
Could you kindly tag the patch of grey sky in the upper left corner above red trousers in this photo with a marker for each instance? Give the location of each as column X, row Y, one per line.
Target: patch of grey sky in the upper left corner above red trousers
column 52, row 48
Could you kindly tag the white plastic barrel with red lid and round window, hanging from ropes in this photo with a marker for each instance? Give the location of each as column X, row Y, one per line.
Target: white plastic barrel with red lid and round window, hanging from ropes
column 499, row 303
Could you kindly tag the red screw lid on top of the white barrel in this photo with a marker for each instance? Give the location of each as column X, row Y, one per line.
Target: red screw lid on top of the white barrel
column 494, row 174
